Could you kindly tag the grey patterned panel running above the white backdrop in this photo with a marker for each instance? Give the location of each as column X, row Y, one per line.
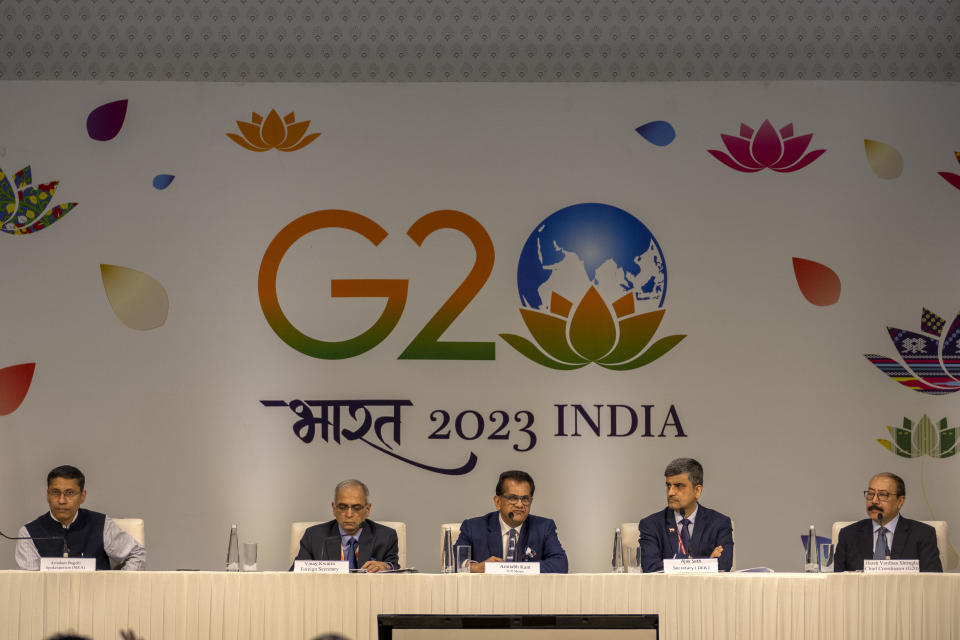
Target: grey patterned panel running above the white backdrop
column 479, row 40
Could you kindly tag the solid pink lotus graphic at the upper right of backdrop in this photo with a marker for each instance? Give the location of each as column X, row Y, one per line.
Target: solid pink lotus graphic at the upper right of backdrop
column 766, row 148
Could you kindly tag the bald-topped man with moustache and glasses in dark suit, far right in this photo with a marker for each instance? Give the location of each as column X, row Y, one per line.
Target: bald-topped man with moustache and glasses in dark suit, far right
column 886, row 534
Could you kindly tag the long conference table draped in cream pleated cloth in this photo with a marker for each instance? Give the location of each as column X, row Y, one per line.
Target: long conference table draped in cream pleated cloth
column 186, row 605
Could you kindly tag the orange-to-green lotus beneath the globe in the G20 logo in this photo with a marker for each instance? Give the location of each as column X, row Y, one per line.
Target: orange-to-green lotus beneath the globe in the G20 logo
column 592, row 334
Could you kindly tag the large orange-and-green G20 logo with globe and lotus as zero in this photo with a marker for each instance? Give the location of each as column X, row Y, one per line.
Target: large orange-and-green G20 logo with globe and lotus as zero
column 596, row 254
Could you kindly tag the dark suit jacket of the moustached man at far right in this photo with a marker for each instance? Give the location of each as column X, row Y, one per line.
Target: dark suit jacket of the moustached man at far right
column 912, row 540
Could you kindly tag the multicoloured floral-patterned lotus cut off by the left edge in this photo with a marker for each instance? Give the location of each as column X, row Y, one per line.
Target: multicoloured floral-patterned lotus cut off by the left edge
column 22, row 211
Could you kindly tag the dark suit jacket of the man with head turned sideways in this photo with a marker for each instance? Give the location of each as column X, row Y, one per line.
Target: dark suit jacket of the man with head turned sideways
column 658, row 538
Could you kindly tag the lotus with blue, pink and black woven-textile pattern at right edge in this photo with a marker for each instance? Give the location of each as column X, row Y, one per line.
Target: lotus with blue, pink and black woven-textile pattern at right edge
column 933, row 368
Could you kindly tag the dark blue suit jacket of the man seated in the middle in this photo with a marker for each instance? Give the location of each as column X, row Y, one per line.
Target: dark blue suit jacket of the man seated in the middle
column 538, row 541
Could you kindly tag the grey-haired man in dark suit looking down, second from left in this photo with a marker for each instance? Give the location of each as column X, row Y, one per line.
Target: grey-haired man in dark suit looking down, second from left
column 351, row 536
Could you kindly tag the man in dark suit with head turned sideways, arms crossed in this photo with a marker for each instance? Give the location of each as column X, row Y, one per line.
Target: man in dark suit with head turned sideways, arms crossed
column 685, row 529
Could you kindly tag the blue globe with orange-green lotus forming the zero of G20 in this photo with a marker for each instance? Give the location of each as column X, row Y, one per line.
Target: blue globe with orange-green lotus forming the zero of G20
column 611, row 265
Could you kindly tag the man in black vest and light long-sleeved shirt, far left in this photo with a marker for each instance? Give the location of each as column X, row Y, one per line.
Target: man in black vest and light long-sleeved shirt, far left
column 79, row 532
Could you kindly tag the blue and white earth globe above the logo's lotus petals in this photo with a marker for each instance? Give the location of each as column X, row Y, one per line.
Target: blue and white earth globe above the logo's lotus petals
column 591, row 245
